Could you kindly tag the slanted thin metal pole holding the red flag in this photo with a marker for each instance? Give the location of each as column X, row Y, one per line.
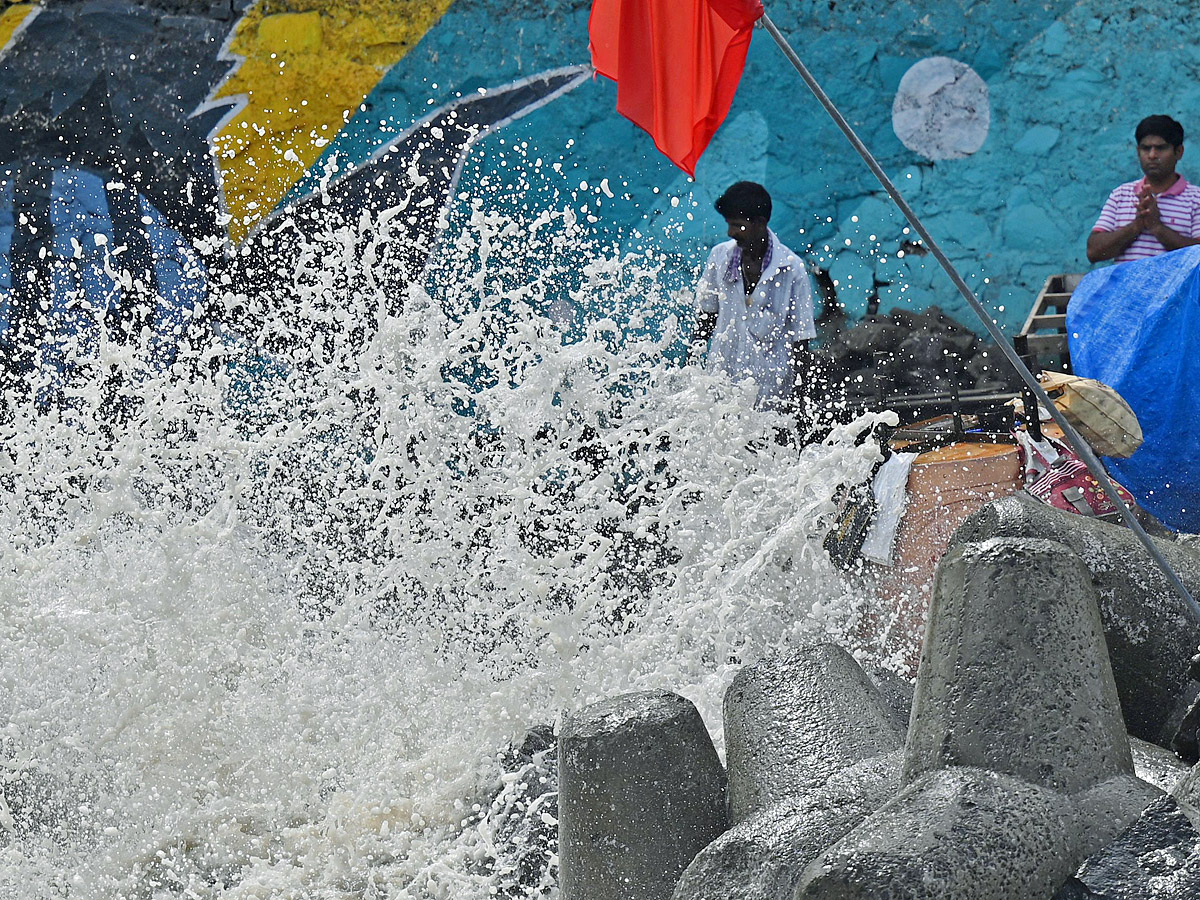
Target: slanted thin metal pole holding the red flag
column 1073, row 439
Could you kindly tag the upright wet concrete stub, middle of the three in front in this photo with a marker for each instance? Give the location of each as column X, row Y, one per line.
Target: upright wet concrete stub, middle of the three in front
column 791, row 723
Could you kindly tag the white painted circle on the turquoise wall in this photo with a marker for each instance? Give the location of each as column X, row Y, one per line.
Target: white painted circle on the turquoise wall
column 941, row 110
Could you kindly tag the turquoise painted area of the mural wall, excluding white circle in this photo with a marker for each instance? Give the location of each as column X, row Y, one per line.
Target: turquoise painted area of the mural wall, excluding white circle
column 1065, row 93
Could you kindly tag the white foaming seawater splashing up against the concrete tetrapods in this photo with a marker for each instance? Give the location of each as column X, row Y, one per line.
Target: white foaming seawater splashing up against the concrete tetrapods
column 277, row 629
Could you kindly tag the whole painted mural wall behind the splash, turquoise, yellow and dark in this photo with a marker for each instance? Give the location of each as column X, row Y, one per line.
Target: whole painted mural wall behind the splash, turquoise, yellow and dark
column 181, row 130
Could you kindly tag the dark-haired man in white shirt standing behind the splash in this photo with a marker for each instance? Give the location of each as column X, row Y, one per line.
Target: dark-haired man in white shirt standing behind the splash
column 755, row 299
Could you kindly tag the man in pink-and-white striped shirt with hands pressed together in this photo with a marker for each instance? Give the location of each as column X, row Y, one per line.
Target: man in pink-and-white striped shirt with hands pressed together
column 1153, row 215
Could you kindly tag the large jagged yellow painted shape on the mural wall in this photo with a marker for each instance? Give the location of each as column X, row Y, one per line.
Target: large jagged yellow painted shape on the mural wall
column 307, row 68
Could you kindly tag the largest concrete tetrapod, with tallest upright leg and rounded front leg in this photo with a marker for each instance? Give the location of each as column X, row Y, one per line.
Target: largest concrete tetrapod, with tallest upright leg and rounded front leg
column 1016, row 711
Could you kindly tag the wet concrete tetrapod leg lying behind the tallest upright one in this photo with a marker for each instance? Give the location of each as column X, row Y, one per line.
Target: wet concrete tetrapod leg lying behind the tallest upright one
column 1150, row 633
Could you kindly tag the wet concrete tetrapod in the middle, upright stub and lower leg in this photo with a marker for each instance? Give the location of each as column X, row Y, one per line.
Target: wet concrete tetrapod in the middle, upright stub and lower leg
column 813, row 749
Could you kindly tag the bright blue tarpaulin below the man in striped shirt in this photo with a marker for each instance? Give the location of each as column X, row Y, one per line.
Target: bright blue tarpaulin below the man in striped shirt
column 1136, row 327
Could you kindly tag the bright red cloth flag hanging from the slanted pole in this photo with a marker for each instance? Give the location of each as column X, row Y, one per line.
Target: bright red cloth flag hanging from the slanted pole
column 677, row 65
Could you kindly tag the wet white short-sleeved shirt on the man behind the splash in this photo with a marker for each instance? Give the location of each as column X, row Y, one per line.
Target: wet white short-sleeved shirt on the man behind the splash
column 754, row 335
